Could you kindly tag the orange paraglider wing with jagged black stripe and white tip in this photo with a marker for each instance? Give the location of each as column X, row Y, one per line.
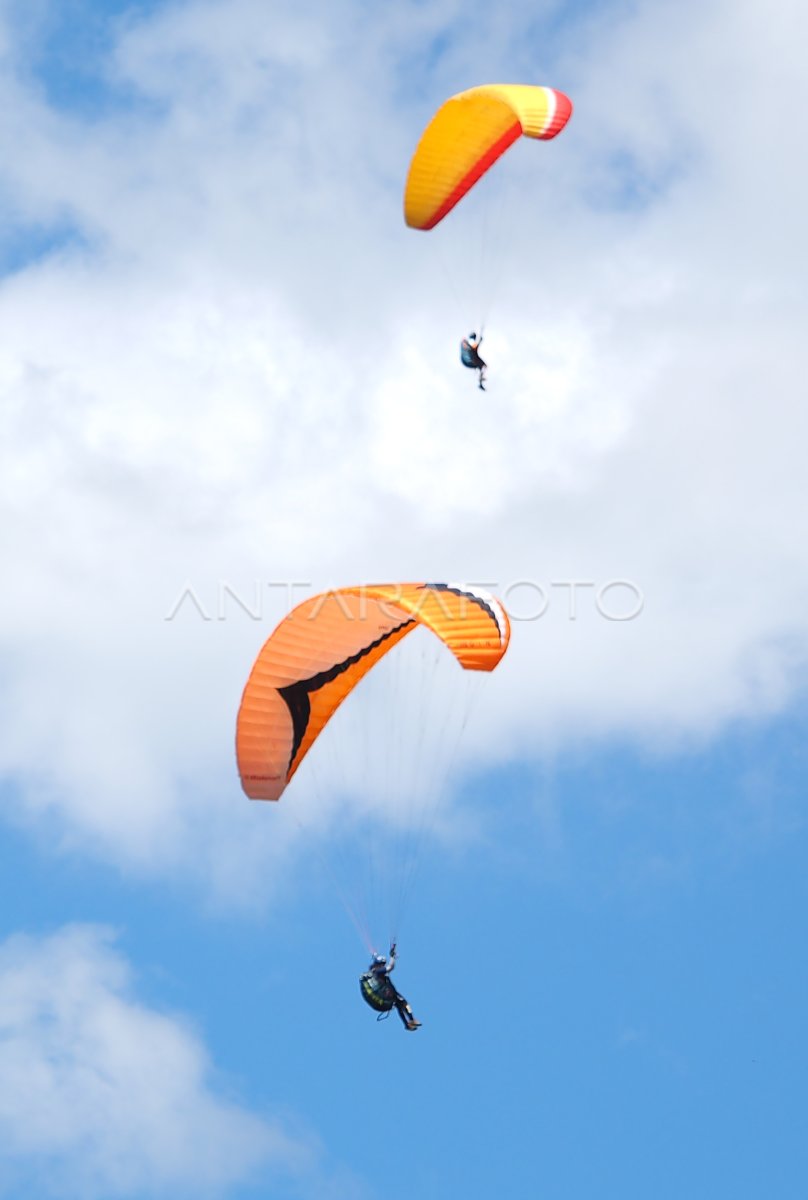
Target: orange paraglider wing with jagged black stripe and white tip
column 327, row 645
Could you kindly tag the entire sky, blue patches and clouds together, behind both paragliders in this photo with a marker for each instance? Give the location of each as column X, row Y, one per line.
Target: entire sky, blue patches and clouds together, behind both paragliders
column 226, row 365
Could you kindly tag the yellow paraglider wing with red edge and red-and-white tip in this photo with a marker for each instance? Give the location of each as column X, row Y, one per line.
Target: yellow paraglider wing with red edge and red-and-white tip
column 466, row 137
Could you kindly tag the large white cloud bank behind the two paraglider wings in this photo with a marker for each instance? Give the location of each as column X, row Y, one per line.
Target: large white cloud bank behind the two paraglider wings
column 253, row 376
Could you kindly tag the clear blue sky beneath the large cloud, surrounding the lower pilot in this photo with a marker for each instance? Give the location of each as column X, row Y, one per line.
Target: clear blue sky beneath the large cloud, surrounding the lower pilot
column 626, row 1019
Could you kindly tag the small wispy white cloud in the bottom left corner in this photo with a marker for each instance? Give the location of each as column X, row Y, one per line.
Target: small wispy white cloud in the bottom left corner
column 101, row 1096
